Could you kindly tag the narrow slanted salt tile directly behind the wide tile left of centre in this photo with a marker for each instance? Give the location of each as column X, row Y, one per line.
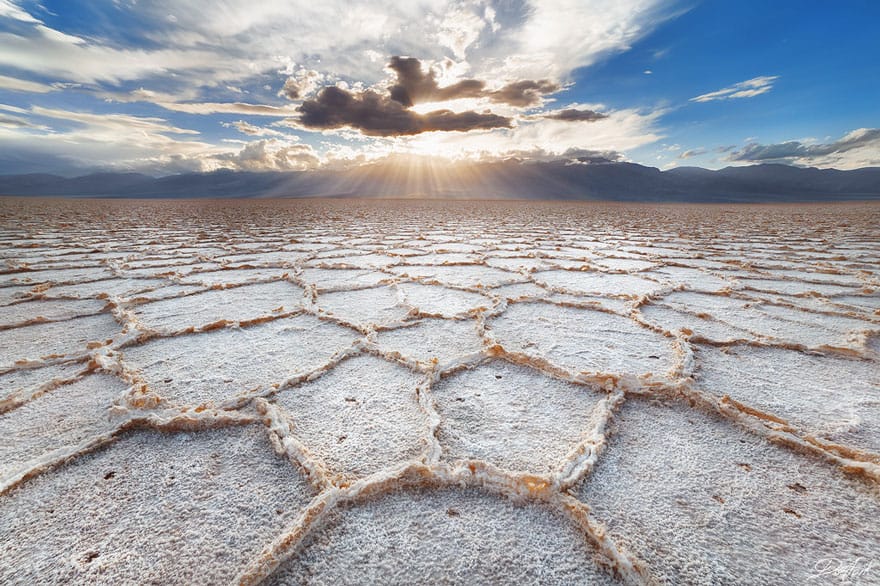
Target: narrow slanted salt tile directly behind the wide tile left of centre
column 237, row 304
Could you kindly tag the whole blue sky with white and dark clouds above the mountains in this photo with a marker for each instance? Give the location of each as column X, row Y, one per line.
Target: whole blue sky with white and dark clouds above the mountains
column 164, row 86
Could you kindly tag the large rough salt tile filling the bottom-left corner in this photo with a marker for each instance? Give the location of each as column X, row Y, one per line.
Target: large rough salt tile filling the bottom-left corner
column 169, row 508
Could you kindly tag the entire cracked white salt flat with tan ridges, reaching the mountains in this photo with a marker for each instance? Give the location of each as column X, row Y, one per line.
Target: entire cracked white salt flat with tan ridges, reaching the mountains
column 353, row 391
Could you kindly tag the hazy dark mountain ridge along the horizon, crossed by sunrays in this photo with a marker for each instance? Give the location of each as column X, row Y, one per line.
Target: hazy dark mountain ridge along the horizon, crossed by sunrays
column 610, row 181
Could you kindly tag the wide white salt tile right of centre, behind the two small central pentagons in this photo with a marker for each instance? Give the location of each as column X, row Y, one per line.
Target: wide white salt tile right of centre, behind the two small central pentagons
column 583, row 340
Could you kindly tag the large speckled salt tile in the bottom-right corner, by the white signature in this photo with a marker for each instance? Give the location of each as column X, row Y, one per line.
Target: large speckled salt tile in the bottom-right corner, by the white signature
column 702, row 501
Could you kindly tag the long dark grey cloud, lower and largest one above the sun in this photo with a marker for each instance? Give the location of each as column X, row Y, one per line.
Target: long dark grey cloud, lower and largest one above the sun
column 376, row 115
